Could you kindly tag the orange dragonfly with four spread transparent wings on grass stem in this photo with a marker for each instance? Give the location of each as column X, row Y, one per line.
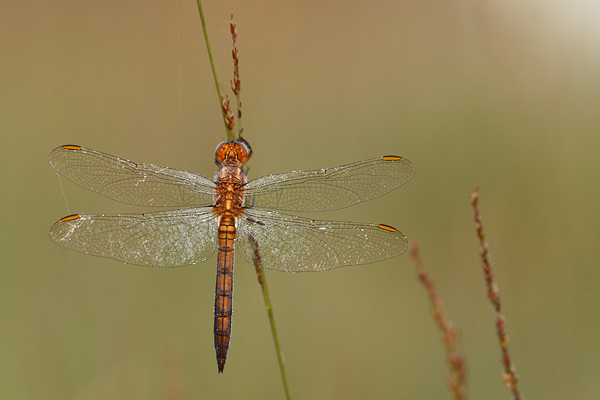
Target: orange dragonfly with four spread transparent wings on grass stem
column 228, row 215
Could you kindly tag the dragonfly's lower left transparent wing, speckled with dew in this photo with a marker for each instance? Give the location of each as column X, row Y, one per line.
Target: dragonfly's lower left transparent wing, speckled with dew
column 160, row 239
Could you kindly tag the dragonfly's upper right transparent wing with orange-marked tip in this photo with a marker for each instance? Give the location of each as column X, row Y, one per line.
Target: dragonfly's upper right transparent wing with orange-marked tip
column 329, row 189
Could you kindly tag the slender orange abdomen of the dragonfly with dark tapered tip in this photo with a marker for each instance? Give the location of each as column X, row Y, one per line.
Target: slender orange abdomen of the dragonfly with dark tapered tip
column 224, row 290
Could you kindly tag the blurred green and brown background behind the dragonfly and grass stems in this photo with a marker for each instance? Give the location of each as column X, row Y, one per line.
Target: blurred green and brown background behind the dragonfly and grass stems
column 500, row 95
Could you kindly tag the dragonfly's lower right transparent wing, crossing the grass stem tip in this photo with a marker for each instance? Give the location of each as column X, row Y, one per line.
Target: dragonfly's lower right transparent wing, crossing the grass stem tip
column 295, row 244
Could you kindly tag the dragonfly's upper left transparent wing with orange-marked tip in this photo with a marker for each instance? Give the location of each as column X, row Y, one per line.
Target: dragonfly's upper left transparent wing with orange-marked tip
column 130, row 182
